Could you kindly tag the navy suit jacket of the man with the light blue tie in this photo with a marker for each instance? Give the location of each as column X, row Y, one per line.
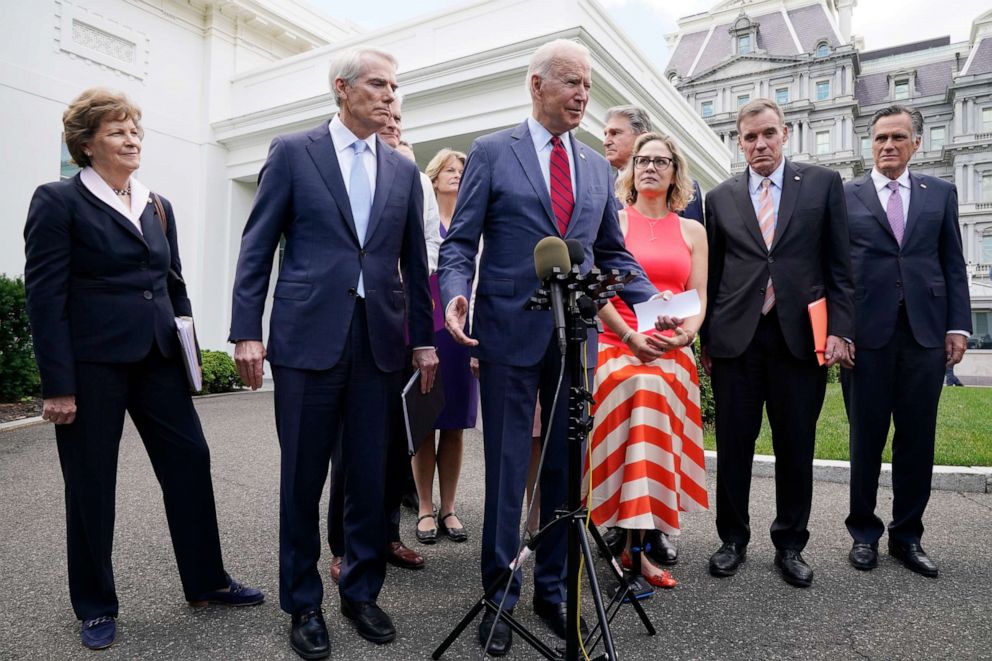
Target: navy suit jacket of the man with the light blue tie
column 302, row 198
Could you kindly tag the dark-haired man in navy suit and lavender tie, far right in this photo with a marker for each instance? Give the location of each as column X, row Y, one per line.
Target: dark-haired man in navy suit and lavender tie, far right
column 913, row 321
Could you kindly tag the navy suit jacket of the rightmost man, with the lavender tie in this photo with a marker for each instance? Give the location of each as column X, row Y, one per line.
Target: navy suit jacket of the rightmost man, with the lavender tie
column 928, row 271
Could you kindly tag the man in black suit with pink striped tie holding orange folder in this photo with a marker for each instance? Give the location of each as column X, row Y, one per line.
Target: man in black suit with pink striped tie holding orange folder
column 778, row 241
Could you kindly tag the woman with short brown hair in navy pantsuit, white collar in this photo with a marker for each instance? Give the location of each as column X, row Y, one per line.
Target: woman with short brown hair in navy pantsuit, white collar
column 104, row 286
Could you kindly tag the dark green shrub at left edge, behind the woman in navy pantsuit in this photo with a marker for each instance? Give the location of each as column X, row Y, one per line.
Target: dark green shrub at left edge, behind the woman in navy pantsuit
column 18, row 371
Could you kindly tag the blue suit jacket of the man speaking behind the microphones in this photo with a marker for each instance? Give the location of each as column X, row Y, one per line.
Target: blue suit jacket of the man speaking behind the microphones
column 503, row 198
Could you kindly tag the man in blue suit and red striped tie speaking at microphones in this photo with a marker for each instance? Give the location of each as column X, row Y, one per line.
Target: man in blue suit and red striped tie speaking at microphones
column 520, row 186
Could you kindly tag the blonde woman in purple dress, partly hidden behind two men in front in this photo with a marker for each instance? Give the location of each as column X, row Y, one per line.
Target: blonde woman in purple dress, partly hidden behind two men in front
column 461, row 390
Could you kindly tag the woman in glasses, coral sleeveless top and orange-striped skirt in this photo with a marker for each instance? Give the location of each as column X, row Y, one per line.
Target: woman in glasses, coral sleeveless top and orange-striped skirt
column 647, row 443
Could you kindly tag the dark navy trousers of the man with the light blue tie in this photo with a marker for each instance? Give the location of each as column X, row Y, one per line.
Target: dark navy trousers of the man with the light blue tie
column 348, row 405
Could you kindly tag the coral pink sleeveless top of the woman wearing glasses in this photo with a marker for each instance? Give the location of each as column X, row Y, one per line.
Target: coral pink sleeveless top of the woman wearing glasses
column 661, row 250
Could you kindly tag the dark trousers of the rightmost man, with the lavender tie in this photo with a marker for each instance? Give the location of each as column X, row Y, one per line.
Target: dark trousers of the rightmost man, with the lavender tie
column 900, row 382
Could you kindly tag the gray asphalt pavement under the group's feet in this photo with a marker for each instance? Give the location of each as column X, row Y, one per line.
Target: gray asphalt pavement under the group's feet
column 889, row 613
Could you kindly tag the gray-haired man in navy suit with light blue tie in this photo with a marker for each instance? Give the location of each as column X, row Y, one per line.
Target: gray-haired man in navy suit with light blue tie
column 350, row 209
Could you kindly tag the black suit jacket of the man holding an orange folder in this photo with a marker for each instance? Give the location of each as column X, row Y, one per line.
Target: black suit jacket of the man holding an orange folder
column 809, row 258
